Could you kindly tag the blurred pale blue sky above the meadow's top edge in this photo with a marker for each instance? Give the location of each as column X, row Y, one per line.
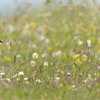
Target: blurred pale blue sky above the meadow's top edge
column 9, row 6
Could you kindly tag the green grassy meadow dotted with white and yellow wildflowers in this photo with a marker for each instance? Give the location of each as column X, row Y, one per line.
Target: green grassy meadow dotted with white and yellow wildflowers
column 51, row 55
